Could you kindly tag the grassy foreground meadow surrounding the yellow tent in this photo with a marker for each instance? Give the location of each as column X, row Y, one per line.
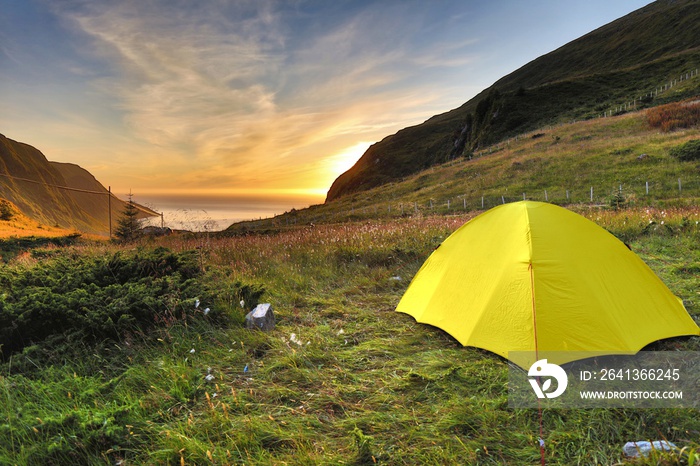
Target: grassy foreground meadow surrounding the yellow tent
column 342, row 379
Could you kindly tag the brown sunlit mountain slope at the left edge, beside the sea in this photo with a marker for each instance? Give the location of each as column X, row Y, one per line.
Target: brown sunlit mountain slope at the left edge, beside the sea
column 38, row 188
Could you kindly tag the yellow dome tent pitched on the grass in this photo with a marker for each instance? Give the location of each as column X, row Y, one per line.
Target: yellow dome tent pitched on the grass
column 535, row 277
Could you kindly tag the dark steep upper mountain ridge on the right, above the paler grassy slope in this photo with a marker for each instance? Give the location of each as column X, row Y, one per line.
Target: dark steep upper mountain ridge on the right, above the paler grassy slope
column 616, row 63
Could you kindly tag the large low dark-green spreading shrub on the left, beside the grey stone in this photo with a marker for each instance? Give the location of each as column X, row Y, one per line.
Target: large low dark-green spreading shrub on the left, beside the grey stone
column 92, row 299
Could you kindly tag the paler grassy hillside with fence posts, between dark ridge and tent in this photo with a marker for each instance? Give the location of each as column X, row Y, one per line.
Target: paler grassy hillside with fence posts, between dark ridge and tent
column 616, row 156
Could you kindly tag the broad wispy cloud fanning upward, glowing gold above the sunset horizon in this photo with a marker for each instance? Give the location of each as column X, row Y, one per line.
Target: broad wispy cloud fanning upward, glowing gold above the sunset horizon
column 258, row 93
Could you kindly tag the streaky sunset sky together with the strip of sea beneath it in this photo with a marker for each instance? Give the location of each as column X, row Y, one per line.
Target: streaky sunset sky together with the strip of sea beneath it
column 246, row 108
